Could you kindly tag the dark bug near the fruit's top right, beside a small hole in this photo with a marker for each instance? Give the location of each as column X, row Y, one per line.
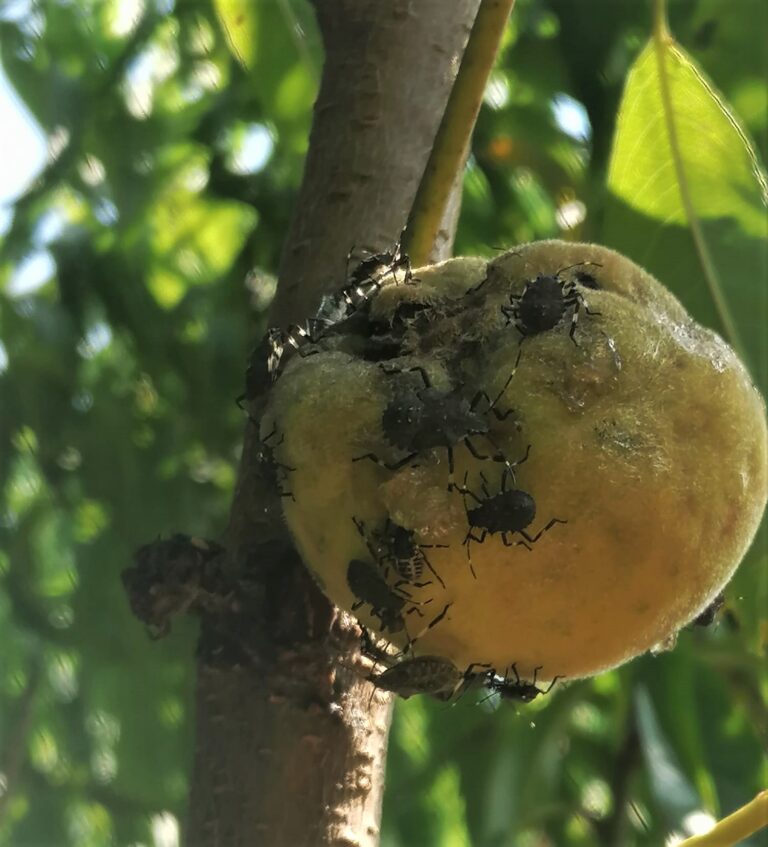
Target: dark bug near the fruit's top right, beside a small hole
column 546, row 299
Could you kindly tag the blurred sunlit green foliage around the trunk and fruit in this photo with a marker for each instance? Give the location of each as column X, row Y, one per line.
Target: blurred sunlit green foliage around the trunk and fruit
column 135, row 268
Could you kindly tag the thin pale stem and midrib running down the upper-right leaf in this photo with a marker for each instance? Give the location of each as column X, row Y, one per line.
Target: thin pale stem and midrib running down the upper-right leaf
column 663, row 42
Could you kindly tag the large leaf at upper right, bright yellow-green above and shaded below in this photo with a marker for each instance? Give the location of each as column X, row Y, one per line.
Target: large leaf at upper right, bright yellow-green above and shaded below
column 689, row 195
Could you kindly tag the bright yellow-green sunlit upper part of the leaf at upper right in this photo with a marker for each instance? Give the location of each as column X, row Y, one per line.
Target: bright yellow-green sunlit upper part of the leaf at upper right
column 718, row 165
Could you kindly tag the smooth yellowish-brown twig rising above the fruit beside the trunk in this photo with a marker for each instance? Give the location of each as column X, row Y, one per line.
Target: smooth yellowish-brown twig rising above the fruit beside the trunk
column 452, row 139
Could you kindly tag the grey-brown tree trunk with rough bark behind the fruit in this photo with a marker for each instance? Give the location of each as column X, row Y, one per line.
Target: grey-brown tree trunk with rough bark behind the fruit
column 291, row 741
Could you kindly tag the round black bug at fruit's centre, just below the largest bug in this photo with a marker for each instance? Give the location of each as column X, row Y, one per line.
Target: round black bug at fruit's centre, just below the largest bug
column 507, row 513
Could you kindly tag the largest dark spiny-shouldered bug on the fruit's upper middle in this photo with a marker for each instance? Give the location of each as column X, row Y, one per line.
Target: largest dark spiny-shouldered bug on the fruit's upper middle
column 420, row 418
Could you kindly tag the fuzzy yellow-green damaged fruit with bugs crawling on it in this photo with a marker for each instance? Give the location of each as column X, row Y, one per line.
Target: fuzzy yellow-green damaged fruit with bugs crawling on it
column 647, row 441
